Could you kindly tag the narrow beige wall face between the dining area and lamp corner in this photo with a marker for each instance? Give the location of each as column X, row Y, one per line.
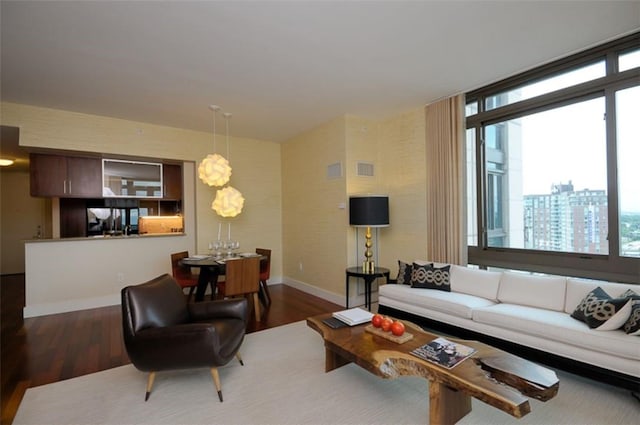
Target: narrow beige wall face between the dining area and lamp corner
column 314, row 227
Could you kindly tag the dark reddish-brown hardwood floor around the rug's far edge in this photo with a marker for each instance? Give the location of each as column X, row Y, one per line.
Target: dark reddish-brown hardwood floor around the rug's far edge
column 53, row 348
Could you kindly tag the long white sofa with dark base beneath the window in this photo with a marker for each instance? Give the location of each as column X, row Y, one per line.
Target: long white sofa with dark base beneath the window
column 526, row 314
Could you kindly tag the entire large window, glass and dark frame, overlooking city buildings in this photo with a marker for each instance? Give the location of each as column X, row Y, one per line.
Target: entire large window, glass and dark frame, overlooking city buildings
column 552, row 167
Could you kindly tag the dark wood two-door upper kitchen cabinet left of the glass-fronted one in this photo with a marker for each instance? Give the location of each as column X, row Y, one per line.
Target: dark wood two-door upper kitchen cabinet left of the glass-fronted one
column 65, row 176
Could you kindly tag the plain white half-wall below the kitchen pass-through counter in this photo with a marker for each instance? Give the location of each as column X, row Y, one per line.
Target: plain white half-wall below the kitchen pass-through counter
column 79, row 273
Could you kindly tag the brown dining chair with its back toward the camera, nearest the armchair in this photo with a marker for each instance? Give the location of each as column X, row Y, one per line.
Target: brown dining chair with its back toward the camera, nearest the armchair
column 242, row 278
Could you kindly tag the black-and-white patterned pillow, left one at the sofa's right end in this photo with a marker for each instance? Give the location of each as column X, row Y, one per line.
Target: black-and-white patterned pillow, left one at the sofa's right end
column 599, row 311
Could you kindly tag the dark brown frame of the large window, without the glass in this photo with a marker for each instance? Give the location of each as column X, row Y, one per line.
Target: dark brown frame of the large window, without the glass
column 609, row 266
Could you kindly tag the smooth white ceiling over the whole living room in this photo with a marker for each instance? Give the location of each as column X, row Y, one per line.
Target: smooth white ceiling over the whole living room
column 281, row 67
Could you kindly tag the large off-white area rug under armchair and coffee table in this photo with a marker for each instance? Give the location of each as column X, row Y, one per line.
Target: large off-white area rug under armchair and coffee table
column 283, row 382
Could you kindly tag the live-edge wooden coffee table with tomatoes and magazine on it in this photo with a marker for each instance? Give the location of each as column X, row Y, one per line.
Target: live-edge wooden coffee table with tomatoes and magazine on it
column 499, row 379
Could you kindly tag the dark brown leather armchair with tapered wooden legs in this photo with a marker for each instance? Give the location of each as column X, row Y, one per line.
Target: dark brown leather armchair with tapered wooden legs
column 163, row 332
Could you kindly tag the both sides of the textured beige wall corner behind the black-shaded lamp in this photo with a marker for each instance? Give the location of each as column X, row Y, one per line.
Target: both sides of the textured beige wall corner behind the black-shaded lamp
column 316, row 231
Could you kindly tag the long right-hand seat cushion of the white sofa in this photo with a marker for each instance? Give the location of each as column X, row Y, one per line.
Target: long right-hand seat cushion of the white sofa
column 557, row 326
